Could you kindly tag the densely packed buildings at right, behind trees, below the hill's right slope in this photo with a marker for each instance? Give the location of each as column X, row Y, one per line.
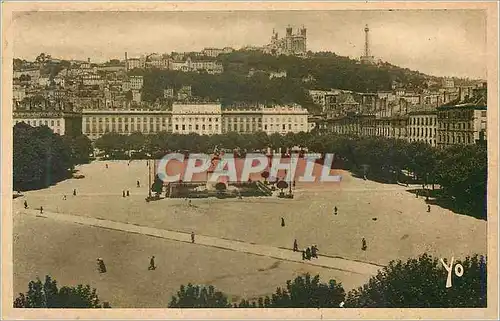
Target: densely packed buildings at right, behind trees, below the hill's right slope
column 461, row 120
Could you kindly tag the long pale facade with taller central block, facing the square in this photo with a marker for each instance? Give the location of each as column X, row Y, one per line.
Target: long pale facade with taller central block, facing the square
column 199, row 118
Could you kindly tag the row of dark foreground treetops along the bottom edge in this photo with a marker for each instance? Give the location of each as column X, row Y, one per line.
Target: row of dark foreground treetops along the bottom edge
column 417, row 283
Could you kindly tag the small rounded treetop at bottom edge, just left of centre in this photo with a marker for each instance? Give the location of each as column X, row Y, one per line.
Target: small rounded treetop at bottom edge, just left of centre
column 195, row 296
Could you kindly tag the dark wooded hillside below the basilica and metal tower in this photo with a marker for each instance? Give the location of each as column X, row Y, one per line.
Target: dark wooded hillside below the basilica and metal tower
column 246, row 78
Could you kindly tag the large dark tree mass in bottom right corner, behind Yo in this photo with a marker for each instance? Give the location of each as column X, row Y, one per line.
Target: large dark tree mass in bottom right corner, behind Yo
column 420, row 283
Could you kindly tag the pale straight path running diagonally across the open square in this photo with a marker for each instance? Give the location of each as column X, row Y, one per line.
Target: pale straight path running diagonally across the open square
column 238, row 246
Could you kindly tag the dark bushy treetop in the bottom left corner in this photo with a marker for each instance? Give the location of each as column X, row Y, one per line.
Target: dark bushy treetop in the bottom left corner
column 47, row 295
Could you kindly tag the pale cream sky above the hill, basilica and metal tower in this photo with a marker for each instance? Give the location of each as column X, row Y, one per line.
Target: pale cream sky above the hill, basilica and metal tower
column 436, row 42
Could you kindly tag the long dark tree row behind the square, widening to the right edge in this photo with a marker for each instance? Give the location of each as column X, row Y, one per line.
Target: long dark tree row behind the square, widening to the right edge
column 460, row 171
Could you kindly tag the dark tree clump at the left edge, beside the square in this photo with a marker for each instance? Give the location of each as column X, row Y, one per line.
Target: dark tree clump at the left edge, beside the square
column 42, row 158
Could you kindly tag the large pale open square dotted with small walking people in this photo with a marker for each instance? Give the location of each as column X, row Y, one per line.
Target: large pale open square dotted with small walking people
column 241, row 247
